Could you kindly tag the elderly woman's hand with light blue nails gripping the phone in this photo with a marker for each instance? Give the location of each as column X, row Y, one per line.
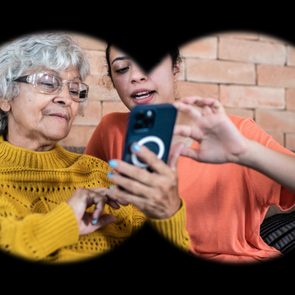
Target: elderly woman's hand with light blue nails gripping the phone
column 154, row 193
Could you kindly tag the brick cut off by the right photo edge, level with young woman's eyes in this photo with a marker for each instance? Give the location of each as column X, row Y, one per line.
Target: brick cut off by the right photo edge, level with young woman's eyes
column 276, row 76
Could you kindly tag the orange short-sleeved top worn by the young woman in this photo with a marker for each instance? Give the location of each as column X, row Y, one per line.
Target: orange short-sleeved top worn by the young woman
column 225, row 203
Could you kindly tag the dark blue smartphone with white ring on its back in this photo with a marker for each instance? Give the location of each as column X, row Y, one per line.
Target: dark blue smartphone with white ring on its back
column 150, row 125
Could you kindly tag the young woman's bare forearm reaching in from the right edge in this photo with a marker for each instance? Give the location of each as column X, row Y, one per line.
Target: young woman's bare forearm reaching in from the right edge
column 276, row 165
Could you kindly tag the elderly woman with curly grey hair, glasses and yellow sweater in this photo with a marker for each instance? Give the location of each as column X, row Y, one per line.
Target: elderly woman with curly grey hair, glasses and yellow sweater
column 54, row 204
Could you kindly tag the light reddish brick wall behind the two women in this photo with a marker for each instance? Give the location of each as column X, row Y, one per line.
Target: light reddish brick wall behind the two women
column 253, row 75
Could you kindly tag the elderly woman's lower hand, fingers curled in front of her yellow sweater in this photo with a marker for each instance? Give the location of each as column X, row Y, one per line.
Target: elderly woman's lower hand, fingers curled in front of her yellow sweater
column 82, row 199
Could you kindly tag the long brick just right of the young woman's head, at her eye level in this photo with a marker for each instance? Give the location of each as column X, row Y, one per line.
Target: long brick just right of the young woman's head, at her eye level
column 220, row 71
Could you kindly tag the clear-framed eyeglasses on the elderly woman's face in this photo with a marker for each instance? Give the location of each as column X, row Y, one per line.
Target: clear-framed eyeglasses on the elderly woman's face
column 51, row 84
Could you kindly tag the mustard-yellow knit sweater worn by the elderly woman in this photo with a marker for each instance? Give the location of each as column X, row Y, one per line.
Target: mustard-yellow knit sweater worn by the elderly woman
column 37, row 223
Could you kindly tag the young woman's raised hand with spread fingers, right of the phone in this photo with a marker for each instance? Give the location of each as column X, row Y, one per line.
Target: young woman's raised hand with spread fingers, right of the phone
column 219, row 140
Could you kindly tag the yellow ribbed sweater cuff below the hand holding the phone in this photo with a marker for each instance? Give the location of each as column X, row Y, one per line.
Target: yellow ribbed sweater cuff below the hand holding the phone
column 173, row 228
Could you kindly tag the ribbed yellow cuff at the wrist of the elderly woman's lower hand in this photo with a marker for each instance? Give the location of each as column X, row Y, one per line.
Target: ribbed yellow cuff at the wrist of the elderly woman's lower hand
column 57, row 229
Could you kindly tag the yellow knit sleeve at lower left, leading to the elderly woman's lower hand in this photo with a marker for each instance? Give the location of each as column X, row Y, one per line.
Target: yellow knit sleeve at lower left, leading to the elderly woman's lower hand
column 36, row 236
